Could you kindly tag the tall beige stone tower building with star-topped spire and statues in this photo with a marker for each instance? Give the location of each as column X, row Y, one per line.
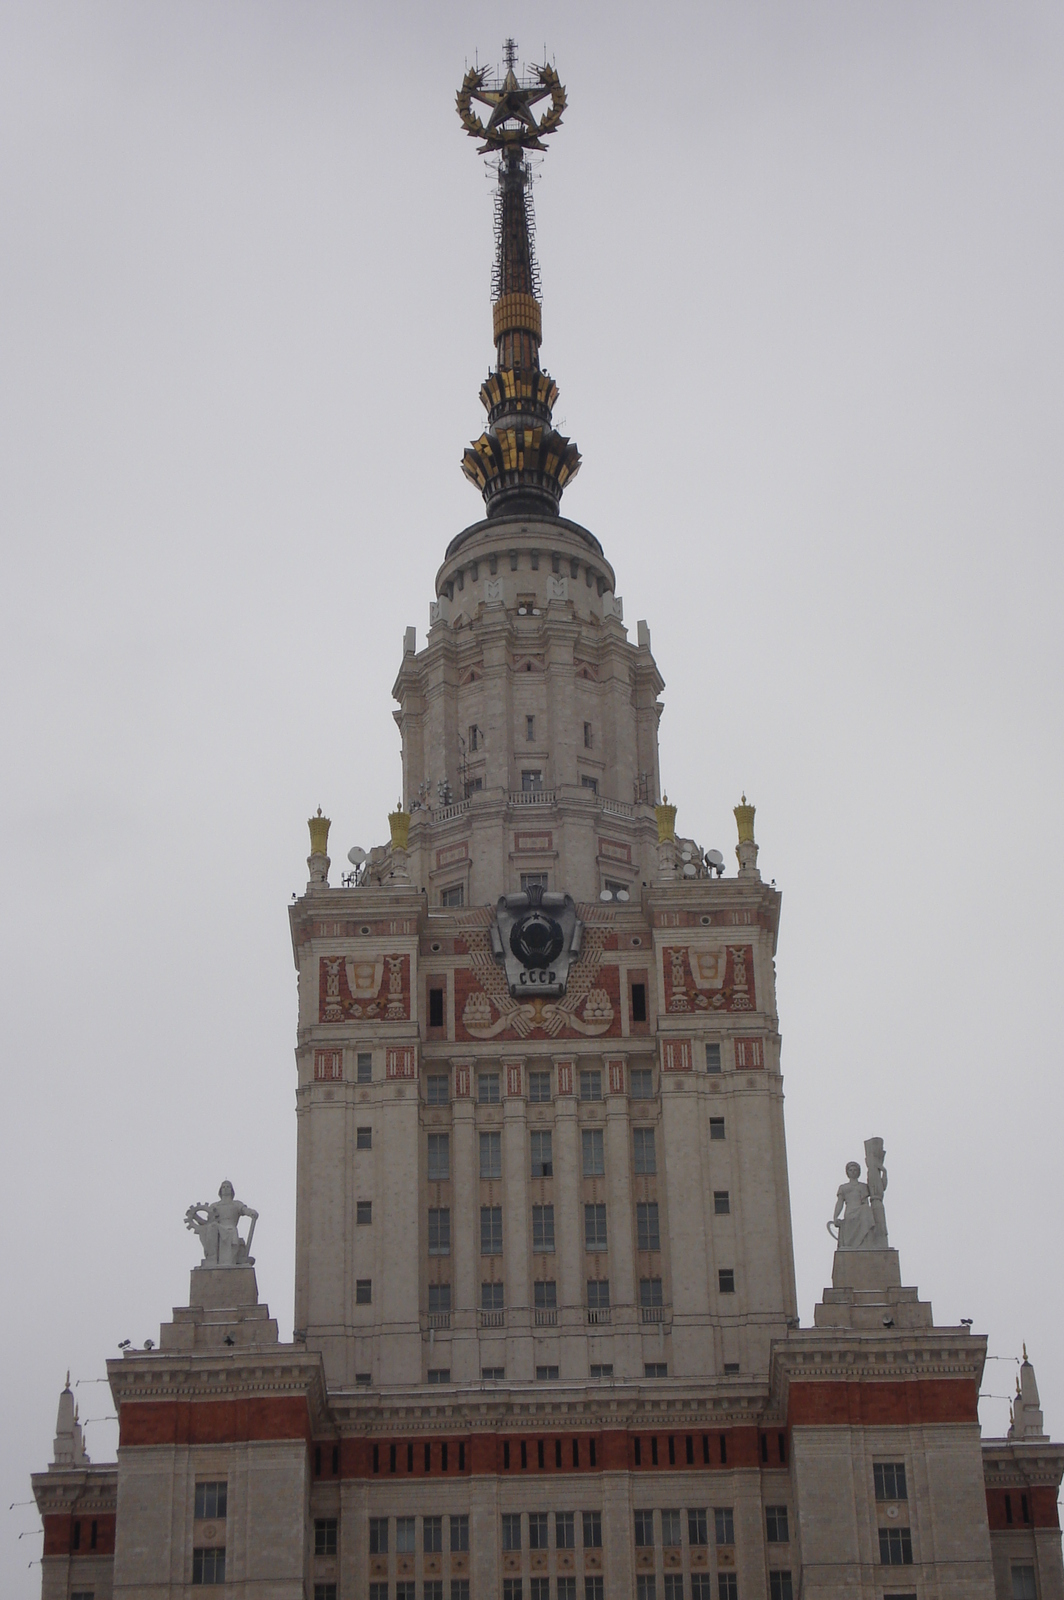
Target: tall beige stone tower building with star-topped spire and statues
column 546, row 1338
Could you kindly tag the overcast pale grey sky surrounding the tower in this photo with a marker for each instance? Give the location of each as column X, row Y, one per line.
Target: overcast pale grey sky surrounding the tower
column 802, row 295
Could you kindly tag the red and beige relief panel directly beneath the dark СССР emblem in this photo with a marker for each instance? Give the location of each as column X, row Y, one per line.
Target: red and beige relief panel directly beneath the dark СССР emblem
column 591, row 1006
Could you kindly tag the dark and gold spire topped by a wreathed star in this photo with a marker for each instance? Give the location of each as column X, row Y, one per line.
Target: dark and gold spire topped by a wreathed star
column 521, row 463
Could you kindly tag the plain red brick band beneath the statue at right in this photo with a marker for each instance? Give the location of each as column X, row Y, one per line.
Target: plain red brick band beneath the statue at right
column 902, row 1404
